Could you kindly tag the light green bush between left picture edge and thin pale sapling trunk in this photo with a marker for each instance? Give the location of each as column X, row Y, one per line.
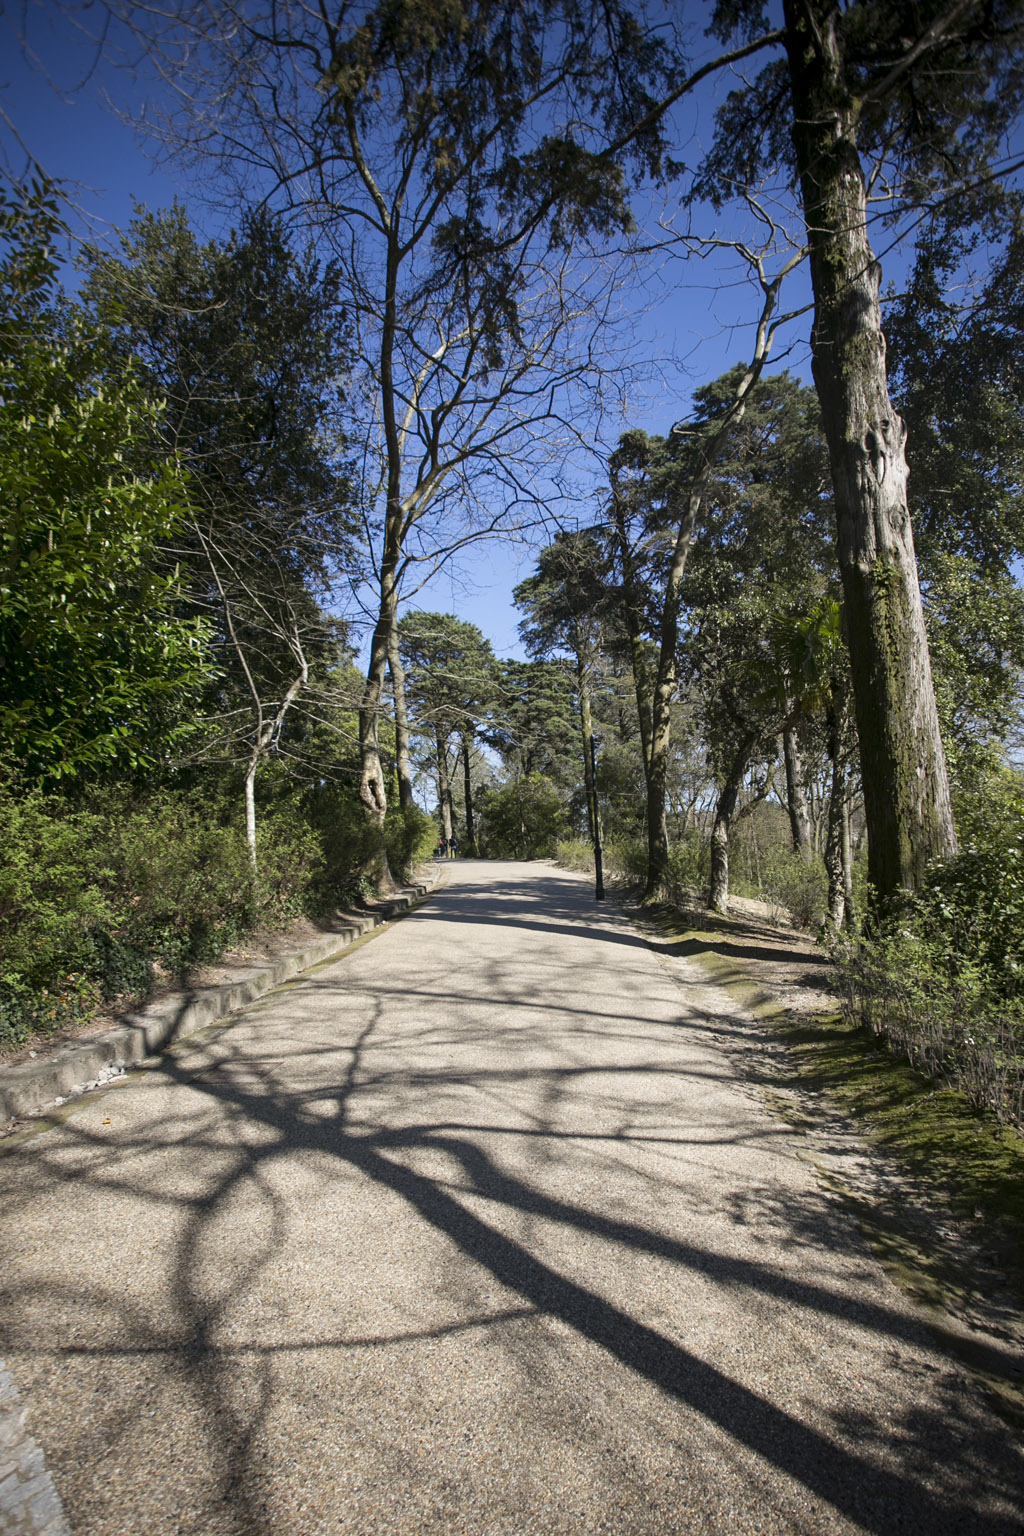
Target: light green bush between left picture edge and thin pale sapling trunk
column 93, row 895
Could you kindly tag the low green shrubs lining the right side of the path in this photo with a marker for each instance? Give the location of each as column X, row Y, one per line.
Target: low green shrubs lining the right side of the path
column 937, row 978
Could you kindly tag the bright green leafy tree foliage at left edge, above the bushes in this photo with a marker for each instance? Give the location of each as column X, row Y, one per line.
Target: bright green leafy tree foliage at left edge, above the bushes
column 97, row 670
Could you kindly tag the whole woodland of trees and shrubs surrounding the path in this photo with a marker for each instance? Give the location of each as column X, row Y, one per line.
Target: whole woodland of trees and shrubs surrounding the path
column 744, row 670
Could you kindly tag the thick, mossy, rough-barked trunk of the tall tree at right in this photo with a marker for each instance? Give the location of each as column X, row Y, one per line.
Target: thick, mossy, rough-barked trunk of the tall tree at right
column 907, row 792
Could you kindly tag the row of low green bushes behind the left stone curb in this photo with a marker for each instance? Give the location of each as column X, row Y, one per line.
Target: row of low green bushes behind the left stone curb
column 99, row 893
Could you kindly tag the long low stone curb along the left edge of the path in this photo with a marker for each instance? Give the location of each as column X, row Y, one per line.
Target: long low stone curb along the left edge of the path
column 36, row 1085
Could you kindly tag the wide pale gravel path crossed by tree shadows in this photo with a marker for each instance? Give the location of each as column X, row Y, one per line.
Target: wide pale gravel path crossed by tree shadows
column 475, row 1231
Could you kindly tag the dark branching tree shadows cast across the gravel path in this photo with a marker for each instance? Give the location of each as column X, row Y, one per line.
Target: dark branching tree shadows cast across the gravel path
column 880, row 1481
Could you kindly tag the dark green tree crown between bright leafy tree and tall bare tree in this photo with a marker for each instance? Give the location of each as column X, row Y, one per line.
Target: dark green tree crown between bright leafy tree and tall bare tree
column 246, row 343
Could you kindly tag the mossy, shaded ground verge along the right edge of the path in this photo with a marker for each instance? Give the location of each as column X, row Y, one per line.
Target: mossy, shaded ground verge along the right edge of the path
column 946, row 1213
